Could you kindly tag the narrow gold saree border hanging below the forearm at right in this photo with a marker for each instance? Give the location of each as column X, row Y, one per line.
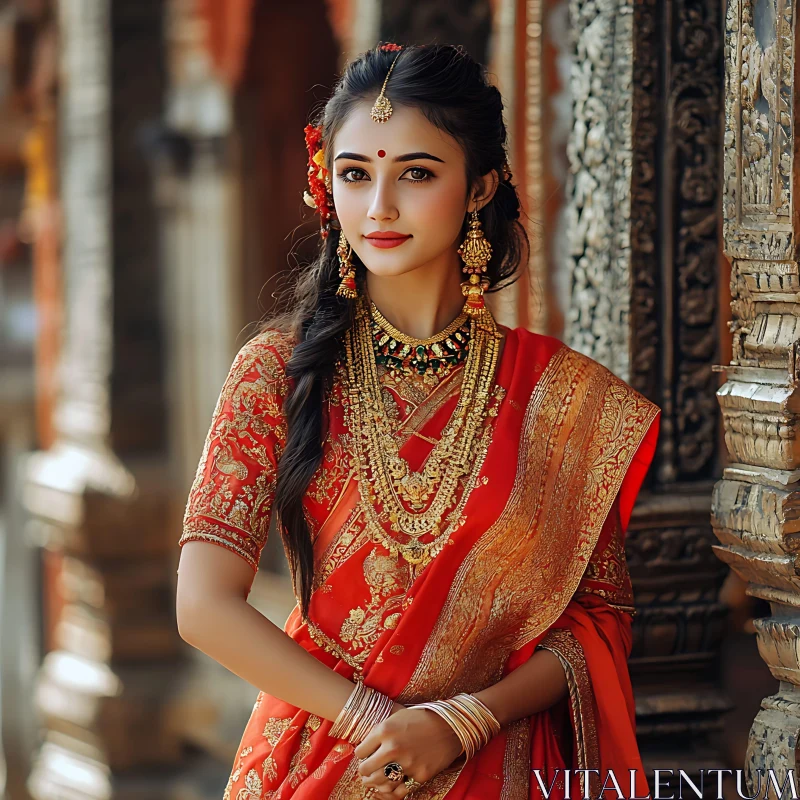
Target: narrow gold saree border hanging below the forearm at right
column 569, row 652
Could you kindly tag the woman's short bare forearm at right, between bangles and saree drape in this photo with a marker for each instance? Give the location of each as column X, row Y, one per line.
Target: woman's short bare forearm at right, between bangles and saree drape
column 533, row 686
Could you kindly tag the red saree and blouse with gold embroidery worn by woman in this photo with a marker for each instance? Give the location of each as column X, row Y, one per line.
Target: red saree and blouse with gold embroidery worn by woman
column 536, row 559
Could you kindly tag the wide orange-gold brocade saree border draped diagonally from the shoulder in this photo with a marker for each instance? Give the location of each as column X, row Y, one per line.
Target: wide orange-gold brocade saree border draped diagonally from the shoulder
column 580, row 413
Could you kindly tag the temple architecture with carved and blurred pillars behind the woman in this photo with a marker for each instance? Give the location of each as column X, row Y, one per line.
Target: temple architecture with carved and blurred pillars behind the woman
column 159, row 153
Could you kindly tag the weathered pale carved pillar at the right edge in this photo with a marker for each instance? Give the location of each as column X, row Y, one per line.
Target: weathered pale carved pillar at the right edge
column 755, row 504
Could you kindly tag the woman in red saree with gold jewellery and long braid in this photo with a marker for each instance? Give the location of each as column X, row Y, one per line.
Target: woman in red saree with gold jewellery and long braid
column 452, row 494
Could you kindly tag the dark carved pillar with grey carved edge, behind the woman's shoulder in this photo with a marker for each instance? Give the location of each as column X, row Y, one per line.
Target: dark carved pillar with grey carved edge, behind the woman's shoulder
column 642, row 226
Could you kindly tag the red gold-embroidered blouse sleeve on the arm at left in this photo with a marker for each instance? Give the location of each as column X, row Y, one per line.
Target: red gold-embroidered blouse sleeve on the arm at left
column 230, row 500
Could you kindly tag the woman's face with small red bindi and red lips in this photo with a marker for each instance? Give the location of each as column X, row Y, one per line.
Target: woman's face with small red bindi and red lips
column 405, row 177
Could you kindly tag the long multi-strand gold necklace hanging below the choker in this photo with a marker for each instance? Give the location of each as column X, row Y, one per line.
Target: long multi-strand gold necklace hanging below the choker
column 385, row 478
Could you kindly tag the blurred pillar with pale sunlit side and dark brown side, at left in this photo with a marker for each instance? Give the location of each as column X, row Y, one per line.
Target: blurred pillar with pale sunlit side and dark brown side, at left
column 100, row 496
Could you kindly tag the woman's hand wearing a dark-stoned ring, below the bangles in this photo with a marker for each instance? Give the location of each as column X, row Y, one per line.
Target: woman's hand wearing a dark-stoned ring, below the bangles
column 417, row 739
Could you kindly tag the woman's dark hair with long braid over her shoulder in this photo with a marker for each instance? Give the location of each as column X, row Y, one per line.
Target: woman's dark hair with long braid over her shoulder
column 452, row 90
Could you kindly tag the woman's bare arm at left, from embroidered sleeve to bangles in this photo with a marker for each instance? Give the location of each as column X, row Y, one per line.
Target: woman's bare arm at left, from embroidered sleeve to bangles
column 214, row 616
